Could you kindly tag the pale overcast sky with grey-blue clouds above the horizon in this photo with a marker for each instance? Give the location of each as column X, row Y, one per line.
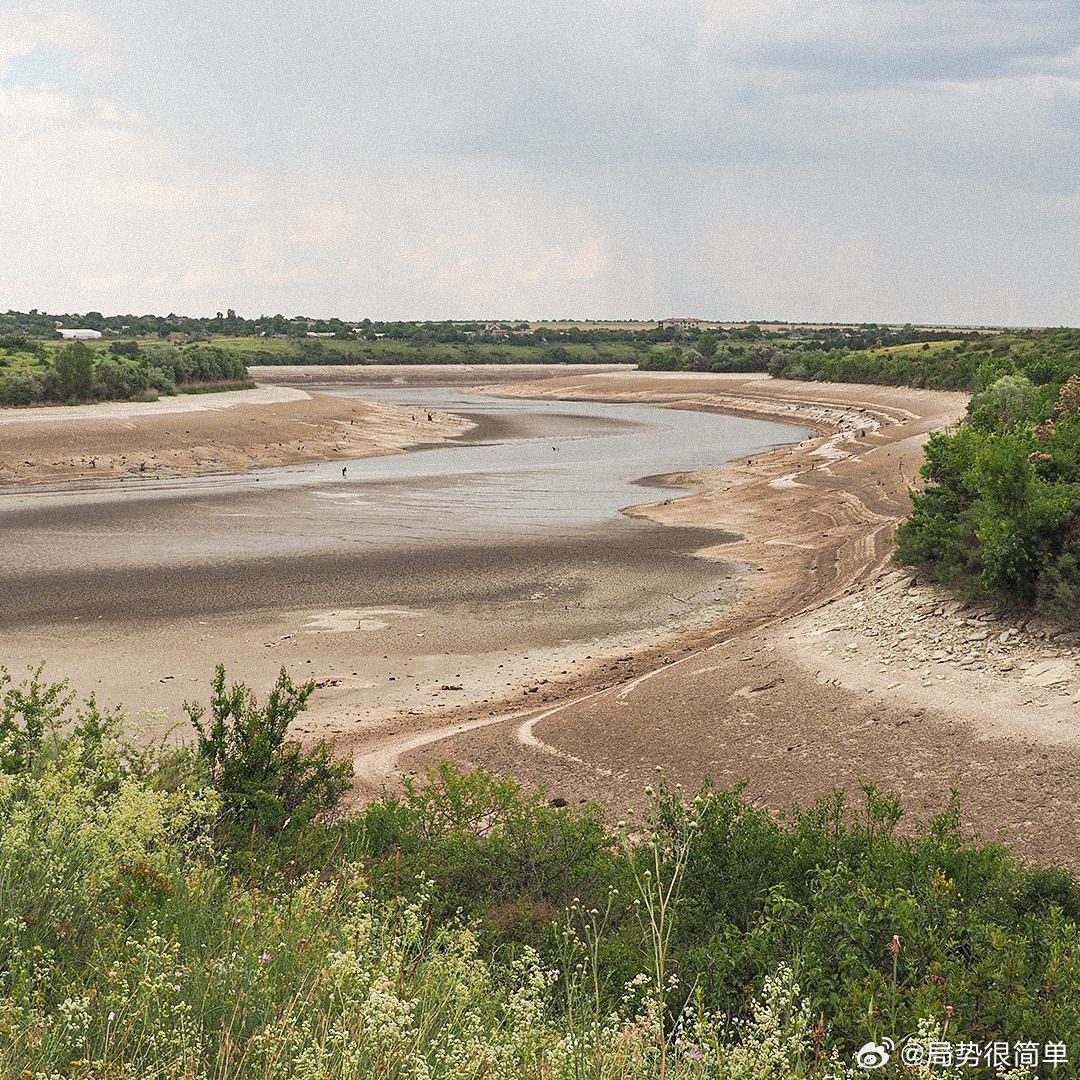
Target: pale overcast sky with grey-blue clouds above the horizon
column 803, row 160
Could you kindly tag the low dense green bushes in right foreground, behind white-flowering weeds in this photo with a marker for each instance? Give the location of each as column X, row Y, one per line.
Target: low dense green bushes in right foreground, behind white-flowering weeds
column 823, row 894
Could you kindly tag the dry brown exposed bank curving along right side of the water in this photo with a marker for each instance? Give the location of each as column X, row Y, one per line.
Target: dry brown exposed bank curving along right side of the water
column 768, row 694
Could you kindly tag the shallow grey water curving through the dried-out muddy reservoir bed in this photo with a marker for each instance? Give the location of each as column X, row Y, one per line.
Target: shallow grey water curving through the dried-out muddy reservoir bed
column 566, row 467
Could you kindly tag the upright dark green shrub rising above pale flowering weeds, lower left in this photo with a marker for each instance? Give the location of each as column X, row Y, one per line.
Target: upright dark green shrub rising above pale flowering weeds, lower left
column 266, row 781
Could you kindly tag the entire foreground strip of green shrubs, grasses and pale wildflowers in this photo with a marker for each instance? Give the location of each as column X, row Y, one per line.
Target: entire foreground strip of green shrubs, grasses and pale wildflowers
column 209, row 913
